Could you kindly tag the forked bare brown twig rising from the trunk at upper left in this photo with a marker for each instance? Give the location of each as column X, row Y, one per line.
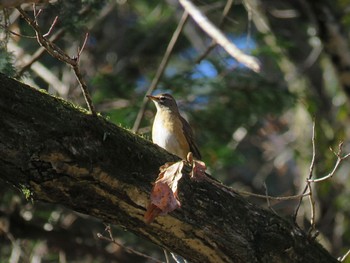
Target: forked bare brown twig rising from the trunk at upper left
column 56, row 52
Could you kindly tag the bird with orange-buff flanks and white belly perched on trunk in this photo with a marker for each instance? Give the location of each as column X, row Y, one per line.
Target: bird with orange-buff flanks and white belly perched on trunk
column 170, row 130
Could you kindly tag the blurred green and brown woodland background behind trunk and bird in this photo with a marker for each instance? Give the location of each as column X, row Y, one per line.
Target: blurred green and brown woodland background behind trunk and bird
column 254, row 129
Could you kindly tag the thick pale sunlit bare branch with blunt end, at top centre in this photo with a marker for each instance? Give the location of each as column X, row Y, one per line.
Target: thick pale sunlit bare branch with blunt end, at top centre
column 219, row 37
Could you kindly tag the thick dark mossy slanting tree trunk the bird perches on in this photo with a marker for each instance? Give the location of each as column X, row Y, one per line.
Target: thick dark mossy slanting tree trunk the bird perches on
column 57, row 153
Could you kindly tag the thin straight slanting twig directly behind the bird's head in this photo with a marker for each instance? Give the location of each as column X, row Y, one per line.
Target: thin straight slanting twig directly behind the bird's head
column 160, row 70
